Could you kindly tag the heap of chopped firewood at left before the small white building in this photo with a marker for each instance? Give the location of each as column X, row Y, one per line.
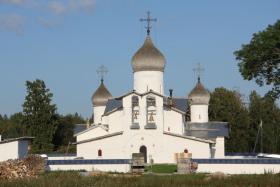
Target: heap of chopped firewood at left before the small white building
column 31, row 166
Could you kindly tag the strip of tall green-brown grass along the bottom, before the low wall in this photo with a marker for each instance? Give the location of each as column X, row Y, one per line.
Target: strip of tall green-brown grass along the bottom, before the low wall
column 73, row 179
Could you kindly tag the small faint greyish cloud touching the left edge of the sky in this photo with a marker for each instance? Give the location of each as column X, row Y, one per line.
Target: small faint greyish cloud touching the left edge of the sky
column 12, row 22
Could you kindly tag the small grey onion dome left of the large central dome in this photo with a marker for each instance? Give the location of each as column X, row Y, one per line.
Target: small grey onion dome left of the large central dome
column 101, row 96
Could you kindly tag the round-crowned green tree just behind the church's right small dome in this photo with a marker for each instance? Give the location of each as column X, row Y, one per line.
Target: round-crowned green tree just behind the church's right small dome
column 226, row 105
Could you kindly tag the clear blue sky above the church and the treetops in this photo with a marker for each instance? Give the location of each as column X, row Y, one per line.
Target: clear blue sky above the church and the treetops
column 63, row 42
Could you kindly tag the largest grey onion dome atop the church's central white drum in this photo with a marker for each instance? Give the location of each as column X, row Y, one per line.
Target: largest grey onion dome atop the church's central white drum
column 148, row 58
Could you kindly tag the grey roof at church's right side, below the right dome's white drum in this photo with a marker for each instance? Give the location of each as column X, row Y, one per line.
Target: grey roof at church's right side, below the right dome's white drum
column 207, row 130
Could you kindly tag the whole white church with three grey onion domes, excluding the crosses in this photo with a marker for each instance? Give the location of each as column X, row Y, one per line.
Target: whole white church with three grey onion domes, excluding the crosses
column 146, row 120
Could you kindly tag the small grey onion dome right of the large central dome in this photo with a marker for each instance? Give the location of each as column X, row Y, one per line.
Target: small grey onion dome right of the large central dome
column 199, row 95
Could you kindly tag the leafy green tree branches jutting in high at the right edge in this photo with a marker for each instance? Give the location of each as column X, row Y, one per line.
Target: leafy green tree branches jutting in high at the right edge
column 260, row 59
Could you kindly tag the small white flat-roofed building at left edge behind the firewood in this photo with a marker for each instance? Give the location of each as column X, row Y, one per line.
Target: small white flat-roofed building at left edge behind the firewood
column 15, row 148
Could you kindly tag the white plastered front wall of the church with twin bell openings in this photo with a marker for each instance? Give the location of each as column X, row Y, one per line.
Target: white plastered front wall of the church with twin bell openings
column 160, row 147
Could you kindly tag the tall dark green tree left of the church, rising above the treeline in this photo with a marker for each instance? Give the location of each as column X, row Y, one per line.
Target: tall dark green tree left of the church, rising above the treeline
column 40, row 118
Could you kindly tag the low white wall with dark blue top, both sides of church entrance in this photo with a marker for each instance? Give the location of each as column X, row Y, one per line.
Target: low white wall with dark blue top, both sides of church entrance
column 229, row 166
